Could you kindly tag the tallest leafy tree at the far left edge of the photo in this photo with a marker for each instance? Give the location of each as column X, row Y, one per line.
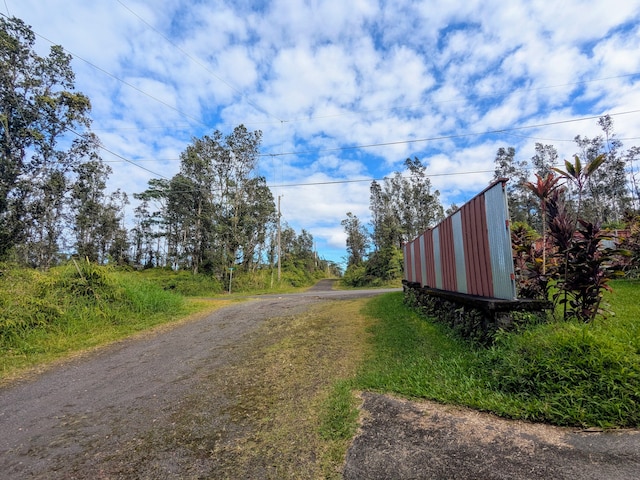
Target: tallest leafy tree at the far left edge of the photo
column 38, row 108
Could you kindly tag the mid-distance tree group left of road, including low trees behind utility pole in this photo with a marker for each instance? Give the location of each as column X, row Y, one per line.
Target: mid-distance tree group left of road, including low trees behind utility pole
column 216, row 213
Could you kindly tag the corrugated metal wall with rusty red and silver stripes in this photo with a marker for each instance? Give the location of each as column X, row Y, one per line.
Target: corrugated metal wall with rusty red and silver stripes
column 470, row 251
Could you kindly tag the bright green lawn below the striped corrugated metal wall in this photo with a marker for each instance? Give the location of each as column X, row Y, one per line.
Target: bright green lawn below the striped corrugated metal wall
column 564, row 373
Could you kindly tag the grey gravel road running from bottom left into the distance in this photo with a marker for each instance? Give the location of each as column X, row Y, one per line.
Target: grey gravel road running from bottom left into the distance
column 83, row 419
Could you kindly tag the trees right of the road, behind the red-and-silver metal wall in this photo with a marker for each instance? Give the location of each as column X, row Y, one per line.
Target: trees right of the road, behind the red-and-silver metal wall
column 404, row 204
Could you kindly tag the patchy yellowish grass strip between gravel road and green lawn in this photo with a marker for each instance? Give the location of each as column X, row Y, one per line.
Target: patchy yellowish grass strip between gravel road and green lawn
column 266, row 416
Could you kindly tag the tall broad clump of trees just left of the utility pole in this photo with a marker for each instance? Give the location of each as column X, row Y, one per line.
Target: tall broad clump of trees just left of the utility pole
column 216, row 211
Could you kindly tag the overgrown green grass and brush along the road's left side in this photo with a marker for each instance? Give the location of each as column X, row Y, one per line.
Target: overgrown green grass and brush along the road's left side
column 74, row 307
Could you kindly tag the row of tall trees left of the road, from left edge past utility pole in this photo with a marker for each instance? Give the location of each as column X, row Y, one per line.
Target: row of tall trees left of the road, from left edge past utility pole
column 216, row 213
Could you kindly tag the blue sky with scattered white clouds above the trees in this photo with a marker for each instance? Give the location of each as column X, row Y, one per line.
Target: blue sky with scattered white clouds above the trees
column 345, row 90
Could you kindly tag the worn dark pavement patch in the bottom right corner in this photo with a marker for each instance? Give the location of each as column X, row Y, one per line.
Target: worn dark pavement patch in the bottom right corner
column 401, row 439
